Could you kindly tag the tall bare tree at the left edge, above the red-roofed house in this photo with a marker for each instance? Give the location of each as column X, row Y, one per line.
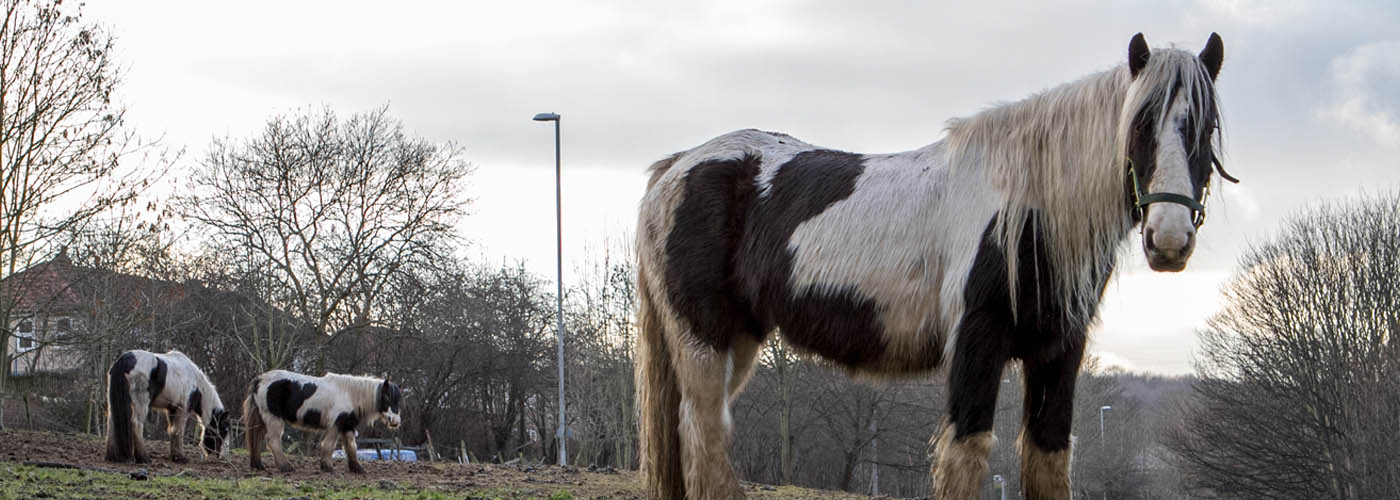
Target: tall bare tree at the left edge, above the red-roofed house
column 62, row 138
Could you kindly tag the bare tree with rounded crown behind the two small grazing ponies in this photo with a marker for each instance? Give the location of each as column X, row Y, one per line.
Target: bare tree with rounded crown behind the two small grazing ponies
column 331, row 211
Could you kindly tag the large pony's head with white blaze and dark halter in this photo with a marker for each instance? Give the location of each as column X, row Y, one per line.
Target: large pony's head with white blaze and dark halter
column 1170, row 130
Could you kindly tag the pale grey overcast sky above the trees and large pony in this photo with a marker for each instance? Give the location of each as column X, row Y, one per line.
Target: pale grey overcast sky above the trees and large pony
column 1310, row 95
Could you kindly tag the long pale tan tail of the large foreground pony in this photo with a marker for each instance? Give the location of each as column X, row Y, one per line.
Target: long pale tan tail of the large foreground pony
column 659, row 397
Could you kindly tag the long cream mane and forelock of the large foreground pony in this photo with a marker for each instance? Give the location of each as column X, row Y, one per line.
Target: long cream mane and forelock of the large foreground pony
column 1062, row 152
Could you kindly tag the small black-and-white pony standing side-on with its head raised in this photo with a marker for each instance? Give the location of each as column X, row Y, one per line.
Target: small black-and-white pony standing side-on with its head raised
column 334, row 405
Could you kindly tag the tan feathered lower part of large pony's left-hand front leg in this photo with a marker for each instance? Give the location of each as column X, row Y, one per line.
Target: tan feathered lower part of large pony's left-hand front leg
column 960, row 464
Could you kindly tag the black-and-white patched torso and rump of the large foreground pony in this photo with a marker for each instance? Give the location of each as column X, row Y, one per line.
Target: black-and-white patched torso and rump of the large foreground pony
column 755, row 230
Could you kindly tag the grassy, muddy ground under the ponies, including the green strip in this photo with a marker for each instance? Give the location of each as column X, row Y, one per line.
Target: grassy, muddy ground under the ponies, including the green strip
column 52, row 466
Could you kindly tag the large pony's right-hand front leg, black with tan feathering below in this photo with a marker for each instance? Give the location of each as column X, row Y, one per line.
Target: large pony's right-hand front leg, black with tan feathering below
column 1045, row 435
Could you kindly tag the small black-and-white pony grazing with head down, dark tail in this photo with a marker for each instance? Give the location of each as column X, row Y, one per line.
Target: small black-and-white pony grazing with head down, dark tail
column 141, row 382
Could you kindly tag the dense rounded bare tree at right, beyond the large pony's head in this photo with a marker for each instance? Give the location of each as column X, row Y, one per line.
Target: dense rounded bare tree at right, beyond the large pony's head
column 1300, row 387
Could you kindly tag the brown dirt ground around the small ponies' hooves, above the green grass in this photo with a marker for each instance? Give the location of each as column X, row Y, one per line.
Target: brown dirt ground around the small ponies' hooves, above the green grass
column 450, row 478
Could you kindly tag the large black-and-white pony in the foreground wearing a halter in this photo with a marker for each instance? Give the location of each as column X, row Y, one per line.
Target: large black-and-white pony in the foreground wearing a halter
column 990, row 246
